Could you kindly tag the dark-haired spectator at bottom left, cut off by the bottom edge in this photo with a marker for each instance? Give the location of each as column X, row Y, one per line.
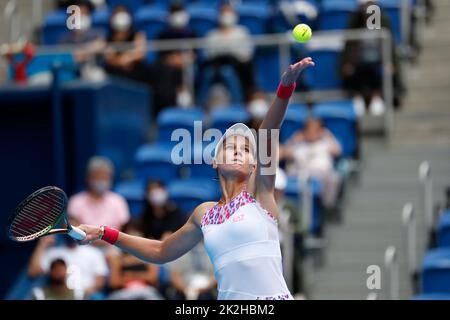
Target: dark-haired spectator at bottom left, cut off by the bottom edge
column 55, row 287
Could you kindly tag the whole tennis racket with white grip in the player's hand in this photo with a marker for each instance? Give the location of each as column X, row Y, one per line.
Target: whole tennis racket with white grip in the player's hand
column 39, row 215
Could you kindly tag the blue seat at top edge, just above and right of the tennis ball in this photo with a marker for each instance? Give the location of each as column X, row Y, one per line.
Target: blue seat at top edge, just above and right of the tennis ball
column 335, row 14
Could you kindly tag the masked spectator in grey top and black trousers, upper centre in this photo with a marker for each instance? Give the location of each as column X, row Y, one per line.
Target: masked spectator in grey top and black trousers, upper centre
column 231, row 45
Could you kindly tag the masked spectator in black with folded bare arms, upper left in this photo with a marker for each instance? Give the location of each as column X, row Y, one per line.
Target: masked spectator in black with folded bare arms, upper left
column 128, row 61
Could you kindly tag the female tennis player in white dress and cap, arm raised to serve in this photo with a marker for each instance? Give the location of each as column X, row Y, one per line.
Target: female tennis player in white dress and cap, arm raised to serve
column 240, row 230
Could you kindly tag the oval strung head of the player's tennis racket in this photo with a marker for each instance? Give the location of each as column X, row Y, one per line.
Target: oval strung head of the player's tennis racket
column 38, row 215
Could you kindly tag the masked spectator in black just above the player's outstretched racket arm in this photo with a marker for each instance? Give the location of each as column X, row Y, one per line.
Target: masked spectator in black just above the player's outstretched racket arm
column 160, row 216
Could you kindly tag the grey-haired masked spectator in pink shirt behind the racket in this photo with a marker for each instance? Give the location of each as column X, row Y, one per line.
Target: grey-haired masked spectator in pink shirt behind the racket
column 98, row 205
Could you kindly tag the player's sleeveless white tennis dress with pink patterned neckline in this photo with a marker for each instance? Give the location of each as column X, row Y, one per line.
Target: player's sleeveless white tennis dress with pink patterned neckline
column 241, row 239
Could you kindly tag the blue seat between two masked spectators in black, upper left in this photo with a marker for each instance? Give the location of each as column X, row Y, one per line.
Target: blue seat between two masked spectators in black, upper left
column 152, row 19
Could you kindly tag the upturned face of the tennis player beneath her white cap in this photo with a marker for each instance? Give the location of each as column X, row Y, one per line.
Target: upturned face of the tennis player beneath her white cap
column 236, row 156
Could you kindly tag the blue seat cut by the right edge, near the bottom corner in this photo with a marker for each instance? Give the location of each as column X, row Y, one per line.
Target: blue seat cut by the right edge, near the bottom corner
column 436, row 271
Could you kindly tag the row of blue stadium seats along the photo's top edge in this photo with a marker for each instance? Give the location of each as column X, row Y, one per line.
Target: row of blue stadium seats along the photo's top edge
column 259, row 17
